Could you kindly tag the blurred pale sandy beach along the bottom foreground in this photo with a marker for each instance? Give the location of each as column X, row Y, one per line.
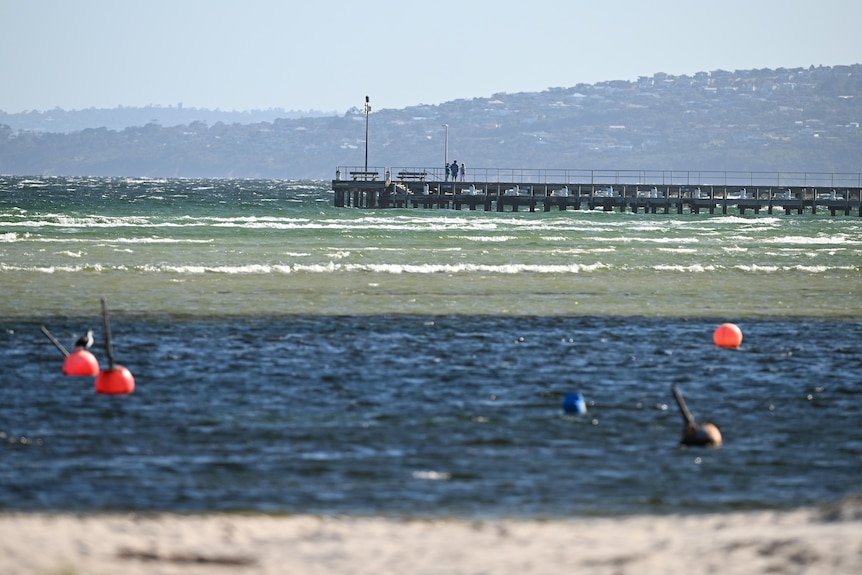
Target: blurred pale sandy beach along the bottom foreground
column 825, row 540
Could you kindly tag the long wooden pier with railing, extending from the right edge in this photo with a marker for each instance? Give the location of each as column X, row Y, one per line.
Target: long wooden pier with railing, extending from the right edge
column 607, row 190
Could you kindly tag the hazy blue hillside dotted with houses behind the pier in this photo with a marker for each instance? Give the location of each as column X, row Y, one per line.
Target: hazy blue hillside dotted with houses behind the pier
column 800, row 119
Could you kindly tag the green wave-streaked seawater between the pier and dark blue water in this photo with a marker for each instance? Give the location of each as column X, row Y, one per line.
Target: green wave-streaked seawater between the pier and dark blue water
column 254, row 247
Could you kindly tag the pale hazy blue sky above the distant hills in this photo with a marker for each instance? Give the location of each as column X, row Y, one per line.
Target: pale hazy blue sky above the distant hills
column 328, row 54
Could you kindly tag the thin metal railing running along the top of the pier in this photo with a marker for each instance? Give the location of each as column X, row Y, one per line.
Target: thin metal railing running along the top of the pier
column 619, row 177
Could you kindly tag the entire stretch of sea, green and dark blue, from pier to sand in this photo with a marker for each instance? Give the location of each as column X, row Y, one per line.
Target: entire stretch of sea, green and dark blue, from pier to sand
column 291, row 357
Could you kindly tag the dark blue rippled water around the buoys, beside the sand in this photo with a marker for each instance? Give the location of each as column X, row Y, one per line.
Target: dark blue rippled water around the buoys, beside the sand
column 454, row 416
